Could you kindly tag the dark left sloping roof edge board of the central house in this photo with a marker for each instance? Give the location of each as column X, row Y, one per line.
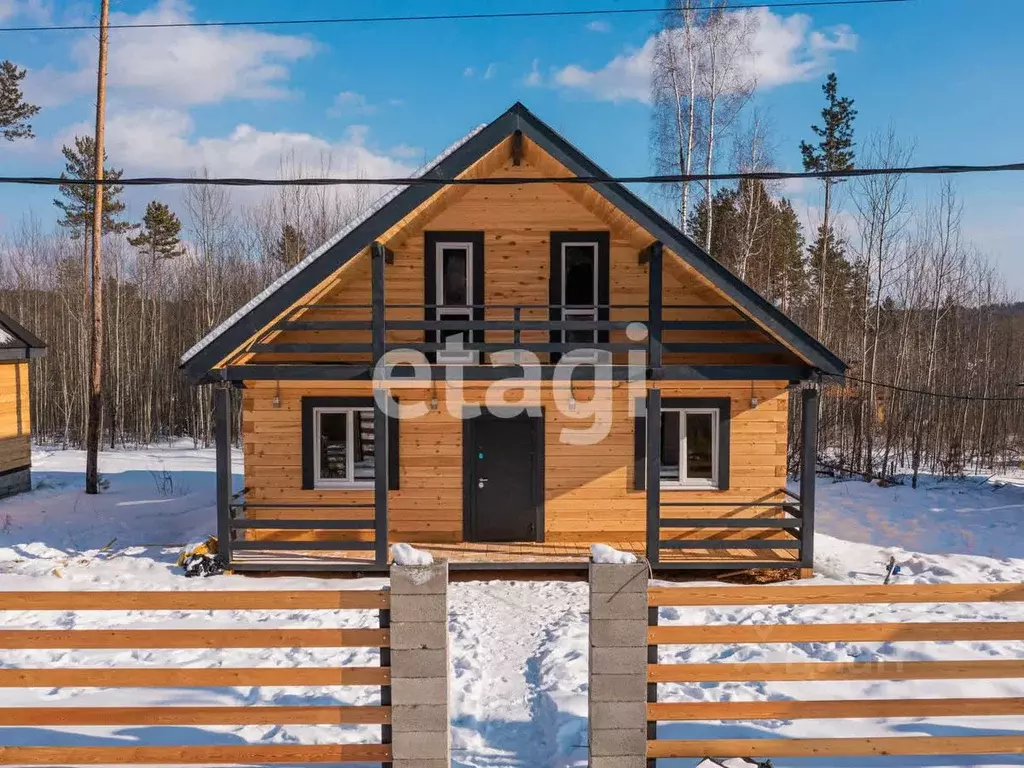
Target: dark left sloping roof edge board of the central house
column 348, row 248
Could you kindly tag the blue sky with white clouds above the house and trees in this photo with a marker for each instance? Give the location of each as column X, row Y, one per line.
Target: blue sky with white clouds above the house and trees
column 381, row 99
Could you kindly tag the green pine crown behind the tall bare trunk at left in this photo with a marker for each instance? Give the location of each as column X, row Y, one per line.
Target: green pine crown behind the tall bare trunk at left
column 78, row 203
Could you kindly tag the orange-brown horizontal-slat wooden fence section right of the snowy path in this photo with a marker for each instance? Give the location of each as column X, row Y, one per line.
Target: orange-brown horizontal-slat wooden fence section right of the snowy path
column 790, row 710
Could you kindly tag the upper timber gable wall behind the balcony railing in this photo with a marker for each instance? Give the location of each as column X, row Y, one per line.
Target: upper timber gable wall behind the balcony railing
column 518, row 223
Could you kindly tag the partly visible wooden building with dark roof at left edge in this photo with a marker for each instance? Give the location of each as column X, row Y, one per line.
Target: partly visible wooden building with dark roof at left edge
column 18, row 348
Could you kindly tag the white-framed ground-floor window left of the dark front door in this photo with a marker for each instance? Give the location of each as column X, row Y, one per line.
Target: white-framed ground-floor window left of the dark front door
column 344, row 440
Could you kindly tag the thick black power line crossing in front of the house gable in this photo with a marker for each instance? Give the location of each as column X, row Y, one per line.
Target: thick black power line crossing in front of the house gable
column 510, row 181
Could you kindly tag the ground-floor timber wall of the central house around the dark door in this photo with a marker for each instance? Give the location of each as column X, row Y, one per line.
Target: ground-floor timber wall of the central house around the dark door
column 589, row 490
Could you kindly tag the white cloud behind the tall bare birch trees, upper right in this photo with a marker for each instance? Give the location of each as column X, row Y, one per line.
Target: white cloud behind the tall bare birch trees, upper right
column 784, row 51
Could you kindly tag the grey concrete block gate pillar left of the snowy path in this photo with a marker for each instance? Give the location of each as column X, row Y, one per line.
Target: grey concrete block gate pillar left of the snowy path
column 421, row 736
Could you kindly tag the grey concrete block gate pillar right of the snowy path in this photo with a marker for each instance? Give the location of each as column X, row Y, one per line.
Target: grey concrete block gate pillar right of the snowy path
column 618, row 719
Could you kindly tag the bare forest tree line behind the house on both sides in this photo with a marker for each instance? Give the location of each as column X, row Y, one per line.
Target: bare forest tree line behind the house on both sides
column 886, row 281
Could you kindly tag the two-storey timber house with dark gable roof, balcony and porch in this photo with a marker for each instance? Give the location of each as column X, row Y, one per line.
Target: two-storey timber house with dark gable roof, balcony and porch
column 584, row 317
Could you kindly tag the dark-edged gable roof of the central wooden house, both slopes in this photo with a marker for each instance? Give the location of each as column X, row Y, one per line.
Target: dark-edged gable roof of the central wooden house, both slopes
column 394, row 207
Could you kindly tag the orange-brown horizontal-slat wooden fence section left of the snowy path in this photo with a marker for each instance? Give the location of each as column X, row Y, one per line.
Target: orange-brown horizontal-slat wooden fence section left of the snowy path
column 107, row 677
